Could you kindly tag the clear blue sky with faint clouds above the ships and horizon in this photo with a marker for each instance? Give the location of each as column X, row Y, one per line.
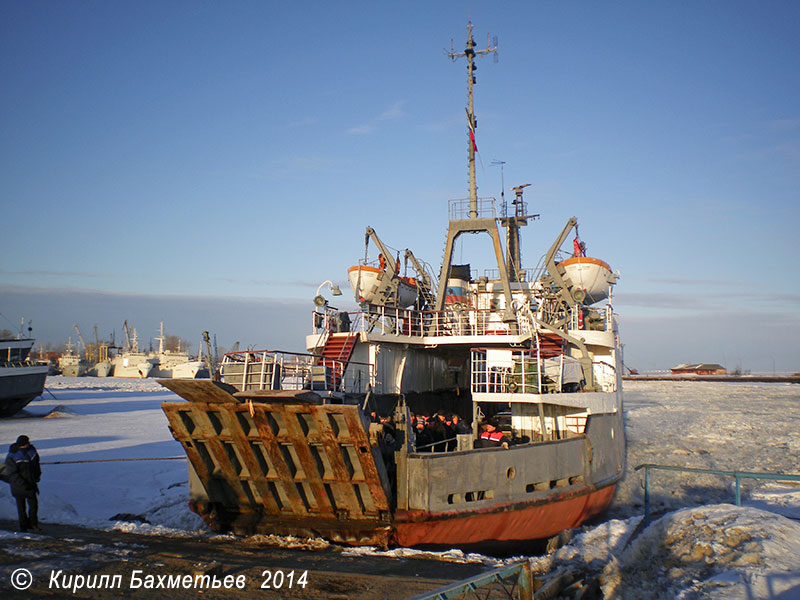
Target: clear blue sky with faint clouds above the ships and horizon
column 190, row 153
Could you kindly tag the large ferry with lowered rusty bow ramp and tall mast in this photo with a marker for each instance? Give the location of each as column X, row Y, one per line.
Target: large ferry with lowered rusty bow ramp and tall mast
column 333, row 443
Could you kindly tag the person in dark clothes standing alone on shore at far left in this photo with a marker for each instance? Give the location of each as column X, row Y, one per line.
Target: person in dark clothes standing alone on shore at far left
column 23, row 473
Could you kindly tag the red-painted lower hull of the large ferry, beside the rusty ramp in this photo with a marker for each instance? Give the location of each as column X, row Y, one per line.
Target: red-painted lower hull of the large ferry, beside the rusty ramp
column 515, row 524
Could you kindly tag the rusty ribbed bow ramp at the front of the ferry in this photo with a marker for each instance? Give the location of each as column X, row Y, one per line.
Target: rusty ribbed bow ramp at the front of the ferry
column 281, row 463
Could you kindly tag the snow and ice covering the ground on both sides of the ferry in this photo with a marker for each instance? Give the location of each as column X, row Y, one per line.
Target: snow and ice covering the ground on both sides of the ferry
column 698, row 546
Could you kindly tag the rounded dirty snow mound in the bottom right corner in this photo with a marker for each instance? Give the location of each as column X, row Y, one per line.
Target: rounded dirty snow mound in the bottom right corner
column 718, row 551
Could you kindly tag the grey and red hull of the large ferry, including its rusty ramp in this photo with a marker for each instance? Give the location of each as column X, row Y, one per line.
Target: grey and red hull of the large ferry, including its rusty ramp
column 282, row 463
